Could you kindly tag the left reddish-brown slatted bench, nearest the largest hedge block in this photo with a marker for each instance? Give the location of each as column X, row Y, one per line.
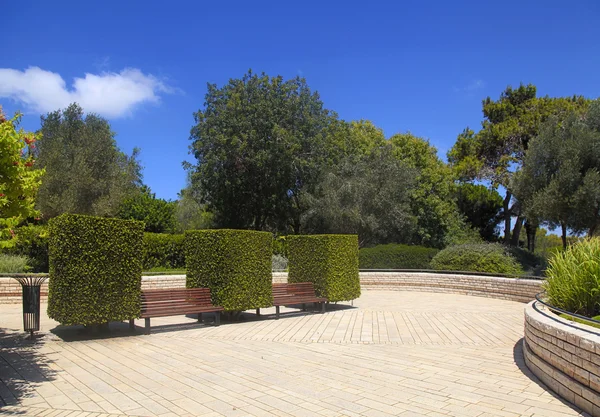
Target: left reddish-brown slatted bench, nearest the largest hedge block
column 176, row 301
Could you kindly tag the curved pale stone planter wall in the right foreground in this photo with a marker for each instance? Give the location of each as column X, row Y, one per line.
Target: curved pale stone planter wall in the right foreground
column 564, row 355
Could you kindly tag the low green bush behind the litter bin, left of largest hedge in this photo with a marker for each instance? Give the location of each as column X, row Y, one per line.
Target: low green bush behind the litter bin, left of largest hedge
column 31, row 242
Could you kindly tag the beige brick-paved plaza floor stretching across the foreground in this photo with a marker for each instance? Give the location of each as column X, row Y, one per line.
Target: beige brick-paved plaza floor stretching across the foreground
column 391, row 354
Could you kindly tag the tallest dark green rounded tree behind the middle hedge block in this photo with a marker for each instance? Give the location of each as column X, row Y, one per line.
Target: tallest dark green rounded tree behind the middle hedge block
column 258, row 142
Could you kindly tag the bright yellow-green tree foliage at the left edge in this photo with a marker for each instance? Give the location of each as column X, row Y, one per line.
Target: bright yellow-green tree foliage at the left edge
column 19, row 180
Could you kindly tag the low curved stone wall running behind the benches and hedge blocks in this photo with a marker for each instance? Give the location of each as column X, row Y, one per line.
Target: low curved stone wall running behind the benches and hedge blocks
column 522, row 290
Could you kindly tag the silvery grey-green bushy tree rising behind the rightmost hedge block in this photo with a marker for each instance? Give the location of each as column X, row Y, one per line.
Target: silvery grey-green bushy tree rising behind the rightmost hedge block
column 368, row 196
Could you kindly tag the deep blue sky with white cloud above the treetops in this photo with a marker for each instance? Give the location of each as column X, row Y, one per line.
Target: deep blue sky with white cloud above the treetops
column 418, row 66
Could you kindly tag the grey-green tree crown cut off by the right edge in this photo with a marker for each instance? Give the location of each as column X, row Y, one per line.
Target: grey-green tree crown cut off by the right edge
column 559, row 183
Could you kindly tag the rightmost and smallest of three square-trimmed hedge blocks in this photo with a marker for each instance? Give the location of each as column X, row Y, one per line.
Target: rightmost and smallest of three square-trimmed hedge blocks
column 330, row 262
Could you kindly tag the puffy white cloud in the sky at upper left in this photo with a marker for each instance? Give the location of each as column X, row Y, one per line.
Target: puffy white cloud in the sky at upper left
column 109, row 94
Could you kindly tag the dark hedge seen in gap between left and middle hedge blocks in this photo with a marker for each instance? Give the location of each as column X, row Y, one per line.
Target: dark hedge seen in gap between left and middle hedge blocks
column 163, row 251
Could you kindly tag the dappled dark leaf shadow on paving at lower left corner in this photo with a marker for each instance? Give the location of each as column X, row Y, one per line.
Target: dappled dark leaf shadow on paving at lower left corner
column 23, row 367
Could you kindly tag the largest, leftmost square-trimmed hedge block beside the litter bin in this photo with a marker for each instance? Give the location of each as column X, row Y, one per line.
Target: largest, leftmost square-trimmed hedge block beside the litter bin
column 95, row 269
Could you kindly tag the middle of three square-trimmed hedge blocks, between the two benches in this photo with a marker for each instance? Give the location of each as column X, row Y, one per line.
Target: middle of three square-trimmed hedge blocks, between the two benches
column 234, row 264
